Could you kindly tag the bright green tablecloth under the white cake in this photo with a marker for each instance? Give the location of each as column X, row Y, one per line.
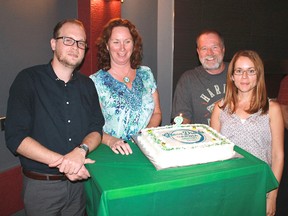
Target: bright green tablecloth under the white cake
column 130, row 185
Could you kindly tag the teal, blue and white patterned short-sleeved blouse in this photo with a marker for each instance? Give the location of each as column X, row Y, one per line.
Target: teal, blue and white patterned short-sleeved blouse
column 126, row 111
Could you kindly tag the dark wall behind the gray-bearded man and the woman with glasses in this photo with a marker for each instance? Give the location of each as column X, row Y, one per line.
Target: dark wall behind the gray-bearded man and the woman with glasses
column 260, row 25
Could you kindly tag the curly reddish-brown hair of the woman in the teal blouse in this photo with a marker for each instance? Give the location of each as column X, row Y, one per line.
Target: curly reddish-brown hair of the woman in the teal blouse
column 103, row 54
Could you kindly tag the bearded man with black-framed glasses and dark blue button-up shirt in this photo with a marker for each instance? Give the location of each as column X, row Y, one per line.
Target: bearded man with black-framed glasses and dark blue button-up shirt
column 53, row 121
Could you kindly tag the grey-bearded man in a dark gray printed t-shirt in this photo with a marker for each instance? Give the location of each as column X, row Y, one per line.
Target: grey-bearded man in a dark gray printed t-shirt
column 197, row 90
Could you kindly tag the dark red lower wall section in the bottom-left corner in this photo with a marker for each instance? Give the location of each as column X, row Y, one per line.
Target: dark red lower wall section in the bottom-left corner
column 11, row 187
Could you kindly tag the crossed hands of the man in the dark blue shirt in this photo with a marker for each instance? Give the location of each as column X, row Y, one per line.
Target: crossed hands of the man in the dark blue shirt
column 72, row 162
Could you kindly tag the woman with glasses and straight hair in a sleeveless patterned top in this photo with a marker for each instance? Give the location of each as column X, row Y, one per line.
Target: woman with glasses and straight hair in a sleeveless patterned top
column 248, row 118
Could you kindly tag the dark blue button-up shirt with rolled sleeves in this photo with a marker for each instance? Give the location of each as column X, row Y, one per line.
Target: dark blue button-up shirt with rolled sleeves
column 56, row 114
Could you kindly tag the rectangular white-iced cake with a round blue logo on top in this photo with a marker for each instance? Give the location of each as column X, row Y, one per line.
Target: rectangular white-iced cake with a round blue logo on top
column 181, row 145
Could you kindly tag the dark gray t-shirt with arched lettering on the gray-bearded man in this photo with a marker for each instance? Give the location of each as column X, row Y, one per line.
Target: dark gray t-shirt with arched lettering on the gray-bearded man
column 196, row 93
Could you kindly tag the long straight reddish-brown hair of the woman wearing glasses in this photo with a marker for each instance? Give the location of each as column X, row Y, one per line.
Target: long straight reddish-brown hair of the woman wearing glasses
column 259, row 96
